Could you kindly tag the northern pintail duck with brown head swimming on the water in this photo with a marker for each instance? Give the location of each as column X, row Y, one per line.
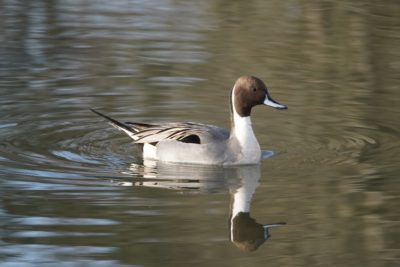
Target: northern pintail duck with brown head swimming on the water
column 191, row 142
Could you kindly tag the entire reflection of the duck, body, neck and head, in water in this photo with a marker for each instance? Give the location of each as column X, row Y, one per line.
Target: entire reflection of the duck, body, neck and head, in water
column 242, row 181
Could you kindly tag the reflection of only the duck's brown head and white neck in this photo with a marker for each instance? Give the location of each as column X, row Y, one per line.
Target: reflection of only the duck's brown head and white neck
column 245, row 232
